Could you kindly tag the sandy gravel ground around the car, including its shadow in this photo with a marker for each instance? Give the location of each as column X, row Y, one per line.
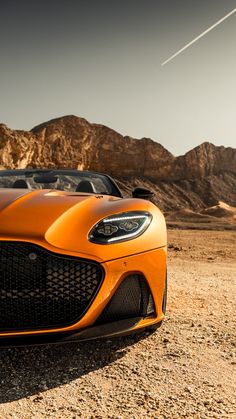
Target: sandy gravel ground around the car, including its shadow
column 185, row 369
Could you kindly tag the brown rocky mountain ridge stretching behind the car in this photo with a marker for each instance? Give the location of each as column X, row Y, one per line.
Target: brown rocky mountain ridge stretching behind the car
column 196, row 180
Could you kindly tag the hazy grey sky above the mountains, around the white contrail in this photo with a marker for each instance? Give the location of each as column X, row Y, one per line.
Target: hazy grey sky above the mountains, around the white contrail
column 101, row 60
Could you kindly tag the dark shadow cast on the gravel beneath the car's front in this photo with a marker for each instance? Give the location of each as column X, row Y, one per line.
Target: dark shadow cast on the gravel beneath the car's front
column 27, row 371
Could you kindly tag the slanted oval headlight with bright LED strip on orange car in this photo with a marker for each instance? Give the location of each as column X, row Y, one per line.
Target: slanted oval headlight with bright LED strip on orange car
column 120, row 227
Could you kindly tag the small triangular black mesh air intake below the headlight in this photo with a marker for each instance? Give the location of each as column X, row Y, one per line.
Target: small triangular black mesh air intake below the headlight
column 133, row 298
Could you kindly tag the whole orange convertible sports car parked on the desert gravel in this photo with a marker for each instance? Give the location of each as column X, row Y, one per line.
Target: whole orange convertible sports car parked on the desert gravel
column 77, row 260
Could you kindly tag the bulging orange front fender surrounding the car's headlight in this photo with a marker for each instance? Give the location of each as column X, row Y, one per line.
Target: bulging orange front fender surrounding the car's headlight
column 70, row 231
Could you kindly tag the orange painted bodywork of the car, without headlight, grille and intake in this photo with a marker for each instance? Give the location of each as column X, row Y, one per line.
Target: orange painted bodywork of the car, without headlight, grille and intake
column 61, row 221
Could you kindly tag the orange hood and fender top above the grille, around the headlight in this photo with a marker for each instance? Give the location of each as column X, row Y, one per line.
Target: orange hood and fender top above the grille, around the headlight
column 63, row 220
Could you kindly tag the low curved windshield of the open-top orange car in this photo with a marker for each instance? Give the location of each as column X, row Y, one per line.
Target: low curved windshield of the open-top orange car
column 64, row 180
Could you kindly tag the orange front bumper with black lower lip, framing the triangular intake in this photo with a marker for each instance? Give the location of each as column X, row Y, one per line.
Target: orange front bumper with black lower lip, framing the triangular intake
column 151, row 265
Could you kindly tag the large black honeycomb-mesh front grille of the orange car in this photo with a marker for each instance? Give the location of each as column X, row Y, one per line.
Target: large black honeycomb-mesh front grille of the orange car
column 40, row 289
